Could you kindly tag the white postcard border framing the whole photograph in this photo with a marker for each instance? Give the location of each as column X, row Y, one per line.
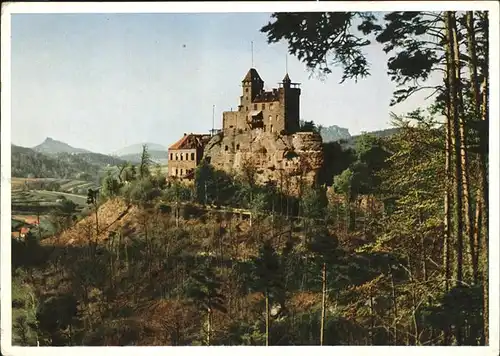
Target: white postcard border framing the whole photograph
column 192, row 7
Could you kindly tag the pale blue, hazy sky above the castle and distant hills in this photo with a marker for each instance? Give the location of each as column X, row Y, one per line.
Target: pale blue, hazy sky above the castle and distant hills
column 106, row 81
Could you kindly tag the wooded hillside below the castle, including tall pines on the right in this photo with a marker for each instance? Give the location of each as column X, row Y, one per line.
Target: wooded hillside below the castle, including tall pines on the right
column 390, row 247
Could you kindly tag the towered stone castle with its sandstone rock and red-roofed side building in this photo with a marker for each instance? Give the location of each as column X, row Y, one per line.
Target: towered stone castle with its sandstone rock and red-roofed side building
column 264, row 132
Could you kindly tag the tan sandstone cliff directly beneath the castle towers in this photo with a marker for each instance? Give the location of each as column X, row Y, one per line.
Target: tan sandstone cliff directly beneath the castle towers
column 286, row 160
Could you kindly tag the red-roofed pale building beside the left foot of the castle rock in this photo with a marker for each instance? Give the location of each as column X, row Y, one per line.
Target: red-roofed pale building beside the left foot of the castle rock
column 185, row 154
